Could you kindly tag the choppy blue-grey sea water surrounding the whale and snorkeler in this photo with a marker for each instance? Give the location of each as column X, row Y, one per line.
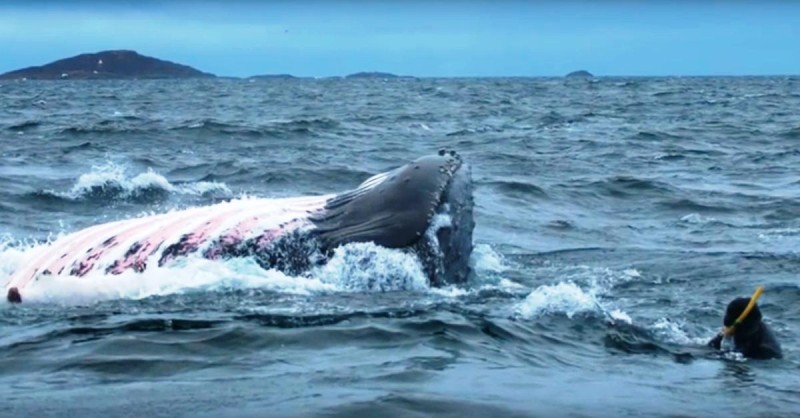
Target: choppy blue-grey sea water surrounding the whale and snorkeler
column 616, row 218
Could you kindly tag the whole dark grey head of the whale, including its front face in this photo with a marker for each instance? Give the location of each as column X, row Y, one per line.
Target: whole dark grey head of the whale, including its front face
column 395, row 209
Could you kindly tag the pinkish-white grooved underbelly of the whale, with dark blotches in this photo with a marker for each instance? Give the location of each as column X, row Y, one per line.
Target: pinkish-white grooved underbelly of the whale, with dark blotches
column 140, row 243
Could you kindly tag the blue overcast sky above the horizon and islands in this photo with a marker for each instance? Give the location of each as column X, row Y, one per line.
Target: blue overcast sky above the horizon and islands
column 423, row 38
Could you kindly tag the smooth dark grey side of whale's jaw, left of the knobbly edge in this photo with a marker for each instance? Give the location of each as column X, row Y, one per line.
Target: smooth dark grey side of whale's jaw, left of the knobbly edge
column 392, row 209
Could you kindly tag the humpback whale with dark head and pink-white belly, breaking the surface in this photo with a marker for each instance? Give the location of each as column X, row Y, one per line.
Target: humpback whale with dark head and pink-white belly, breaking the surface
column 396, row 209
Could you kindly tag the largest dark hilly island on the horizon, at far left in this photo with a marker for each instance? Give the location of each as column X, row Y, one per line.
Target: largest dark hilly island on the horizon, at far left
column 113, row 64
